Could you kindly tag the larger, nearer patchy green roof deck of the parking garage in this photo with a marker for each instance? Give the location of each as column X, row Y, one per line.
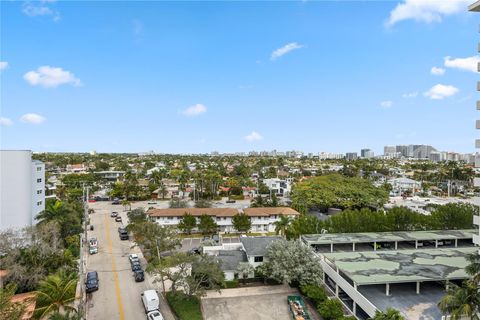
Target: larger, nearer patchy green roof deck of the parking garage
column 402, row 266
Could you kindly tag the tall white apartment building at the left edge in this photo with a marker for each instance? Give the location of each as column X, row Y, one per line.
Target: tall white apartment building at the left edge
column 22, row 189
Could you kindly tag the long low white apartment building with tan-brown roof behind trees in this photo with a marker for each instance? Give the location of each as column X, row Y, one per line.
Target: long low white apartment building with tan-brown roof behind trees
column 263, row 219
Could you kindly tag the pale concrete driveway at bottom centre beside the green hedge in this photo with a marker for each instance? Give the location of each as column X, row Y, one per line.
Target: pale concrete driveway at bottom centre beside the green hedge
column 254, row 303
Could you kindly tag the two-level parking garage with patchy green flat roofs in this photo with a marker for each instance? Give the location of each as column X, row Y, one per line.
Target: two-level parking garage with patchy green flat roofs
column 408, row 271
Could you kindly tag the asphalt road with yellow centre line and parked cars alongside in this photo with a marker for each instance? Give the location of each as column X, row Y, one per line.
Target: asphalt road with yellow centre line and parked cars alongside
column 119, row 295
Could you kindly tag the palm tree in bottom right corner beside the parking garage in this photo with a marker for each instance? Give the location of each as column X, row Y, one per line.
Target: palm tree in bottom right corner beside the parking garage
column 460, row 302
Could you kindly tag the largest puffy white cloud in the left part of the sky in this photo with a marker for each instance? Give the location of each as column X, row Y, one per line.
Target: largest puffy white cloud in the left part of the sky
column 51, row 77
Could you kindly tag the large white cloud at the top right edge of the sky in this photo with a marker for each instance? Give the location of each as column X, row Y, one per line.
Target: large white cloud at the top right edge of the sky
column 427, row 11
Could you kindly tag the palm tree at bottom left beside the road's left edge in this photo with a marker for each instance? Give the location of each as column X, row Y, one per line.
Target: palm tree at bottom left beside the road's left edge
column 55, row 294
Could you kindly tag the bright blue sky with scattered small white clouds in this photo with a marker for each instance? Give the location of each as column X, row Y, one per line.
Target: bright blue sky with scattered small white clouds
column 192, row 77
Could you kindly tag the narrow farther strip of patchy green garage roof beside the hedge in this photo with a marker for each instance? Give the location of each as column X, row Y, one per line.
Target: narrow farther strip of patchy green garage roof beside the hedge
column 363, row 237
